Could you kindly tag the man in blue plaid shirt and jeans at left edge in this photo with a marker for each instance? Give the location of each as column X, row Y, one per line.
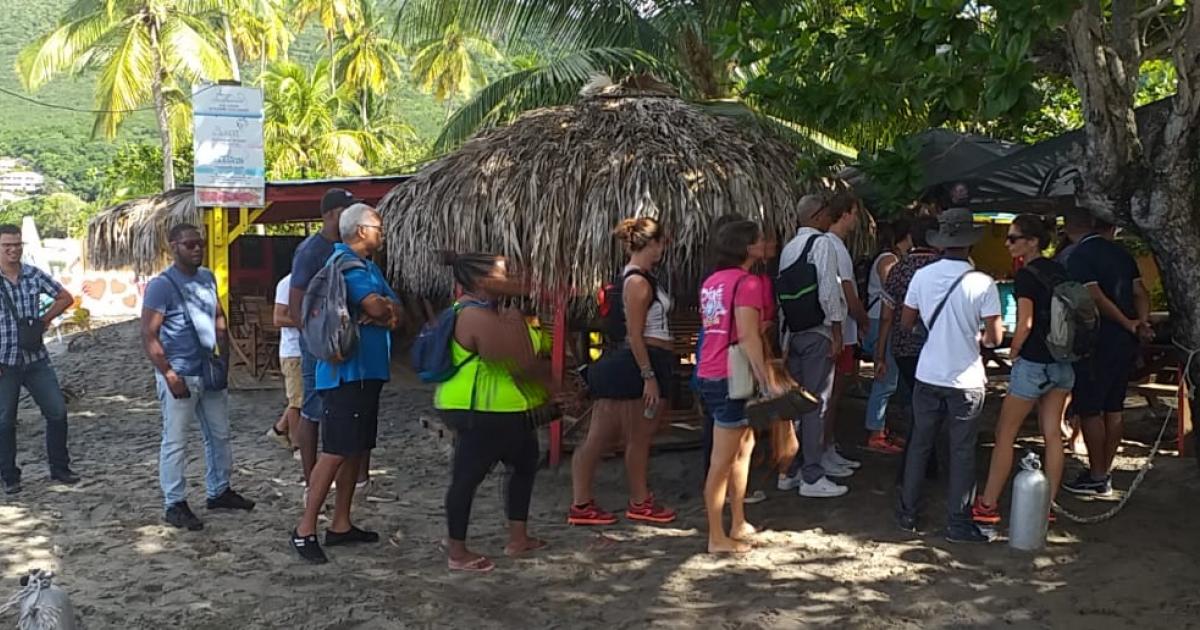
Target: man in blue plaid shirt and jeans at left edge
column 26, row 364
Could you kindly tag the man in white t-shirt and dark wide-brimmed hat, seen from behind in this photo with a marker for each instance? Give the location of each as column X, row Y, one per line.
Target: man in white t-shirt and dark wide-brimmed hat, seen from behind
column 952, row 302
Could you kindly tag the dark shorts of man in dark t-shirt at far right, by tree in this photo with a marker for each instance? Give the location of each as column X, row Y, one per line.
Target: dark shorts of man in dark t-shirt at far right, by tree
column 1102, row 381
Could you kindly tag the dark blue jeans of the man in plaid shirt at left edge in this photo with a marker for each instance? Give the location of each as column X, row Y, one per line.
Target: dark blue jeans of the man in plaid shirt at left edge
column 44, row 386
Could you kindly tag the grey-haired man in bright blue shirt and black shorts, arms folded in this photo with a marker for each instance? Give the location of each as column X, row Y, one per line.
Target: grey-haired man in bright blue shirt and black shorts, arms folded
column 350, row 391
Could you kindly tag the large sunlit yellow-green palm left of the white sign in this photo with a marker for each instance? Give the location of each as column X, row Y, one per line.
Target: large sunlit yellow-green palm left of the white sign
column 146, row 51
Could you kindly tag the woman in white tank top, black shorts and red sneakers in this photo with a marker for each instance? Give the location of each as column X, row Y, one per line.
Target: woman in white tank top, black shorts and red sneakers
column 631, row 383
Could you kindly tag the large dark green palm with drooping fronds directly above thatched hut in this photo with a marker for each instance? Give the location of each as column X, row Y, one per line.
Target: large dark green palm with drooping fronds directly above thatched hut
column 567, row 43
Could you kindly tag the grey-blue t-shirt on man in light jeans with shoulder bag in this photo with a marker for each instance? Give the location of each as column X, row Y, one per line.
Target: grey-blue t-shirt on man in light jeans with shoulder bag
column 187, row 350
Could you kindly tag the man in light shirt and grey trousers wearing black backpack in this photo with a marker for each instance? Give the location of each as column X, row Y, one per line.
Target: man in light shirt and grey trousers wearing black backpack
column 812, row 352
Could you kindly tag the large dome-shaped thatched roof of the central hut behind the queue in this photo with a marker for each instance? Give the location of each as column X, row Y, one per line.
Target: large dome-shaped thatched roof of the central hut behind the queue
column 548, row 190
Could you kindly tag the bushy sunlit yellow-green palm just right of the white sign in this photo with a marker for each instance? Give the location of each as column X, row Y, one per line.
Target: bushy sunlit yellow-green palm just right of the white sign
column 301, row 127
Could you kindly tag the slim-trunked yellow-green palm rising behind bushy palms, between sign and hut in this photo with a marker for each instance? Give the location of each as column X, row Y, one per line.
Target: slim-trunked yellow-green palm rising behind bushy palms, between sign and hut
column 368, row 59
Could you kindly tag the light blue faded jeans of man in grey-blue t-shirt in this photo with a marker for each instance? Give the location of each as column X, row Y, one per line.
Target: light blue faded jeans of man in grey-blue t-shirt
column 212, row 409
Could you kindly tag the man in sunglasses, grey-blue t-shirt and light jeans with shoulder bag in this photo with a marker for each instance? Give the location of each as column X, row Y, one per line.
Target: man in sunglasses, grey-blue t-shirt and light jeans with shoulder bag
column 183, row 328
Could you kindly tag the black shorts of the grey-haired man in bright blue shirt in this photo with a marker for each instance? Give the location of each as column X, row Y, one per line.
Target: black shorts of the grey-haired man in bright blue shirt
column 351, row 421
